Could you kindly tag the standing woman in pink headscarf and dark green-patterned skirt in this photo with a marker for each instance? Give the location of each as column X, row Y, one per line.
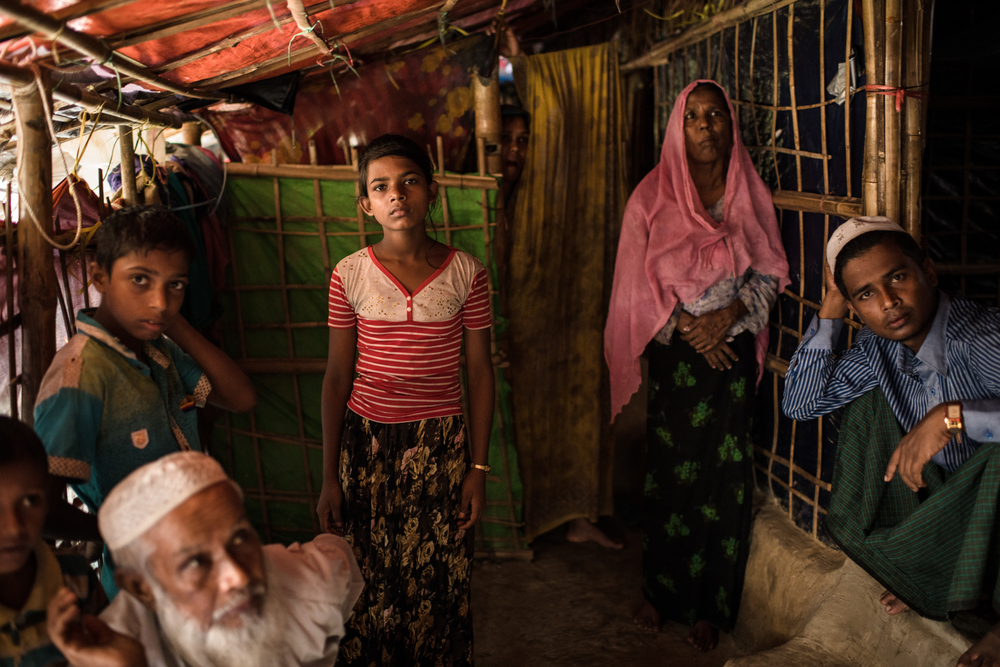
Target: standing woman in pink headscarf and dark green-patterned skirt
column 700, row 265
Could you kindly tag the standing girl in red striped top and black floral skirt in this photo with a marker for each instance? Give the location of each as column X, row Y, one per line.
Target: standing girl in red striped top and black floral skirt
column 404, row 476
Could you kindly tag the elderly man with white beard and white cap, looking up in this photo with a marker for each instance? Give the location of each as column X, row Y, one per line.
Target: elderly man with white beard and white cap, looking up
column 198, row 589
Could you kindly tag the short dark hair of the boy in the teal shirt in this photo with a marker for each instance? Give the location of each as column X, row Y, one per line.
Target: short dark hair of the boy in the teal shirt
column 141, row 228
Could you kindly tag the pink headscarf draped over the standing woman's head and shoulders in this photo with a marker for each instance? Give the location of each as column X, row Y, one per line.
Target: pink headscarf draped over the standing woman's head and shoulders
column 670, row 250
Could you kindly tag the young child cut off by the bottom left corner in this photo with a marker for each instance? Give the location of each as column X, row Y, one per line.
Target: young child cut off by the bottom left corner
column 30, row 572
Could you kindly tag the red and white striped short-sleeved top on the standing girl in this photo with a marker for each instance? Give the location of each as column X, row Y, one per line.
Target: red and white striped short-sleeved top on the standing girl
column 408, row 344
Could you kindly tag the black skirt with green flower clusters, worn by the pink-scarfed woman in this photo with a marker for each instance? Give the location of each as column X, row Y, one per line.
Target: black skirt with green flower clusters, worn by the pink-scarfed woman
column 699, row 482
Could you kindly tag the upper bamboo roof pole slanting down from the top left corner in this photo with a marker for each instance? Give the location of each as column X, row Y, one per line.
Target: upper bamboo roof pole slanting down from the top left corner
column 94, row 48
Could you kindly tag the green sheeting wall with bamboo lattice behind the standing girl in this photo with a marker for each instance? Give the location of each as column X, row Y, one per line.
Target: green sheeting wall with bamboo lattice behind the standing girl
column 275, row 452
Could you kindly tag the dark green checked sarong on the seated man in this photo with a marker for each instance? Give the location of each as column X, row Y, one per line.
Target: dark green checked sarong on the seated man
column 936, row 550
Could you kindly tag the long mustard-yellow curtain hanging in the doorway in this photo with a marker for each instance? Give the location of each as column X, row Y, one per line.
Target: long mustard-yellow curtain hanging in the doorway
column 562, row 248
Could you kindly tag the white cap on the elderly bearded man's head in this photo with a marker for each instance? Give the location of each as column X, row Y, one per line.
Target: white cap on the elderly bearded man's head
column 151, row 492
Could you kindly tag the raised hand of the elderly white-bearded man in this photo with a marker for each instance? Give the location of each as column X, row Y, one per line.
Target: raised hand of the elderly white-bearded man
column 87, row 641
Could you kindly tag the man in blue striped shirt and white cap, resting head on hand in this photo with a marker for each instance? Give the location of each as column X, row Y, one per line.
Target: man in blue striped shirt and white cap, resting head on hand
column 932, row 357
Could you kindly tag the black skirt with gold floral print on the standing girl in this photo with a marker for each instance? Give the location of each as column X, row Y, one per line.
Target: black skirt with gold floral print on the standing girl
column 402, row 494
